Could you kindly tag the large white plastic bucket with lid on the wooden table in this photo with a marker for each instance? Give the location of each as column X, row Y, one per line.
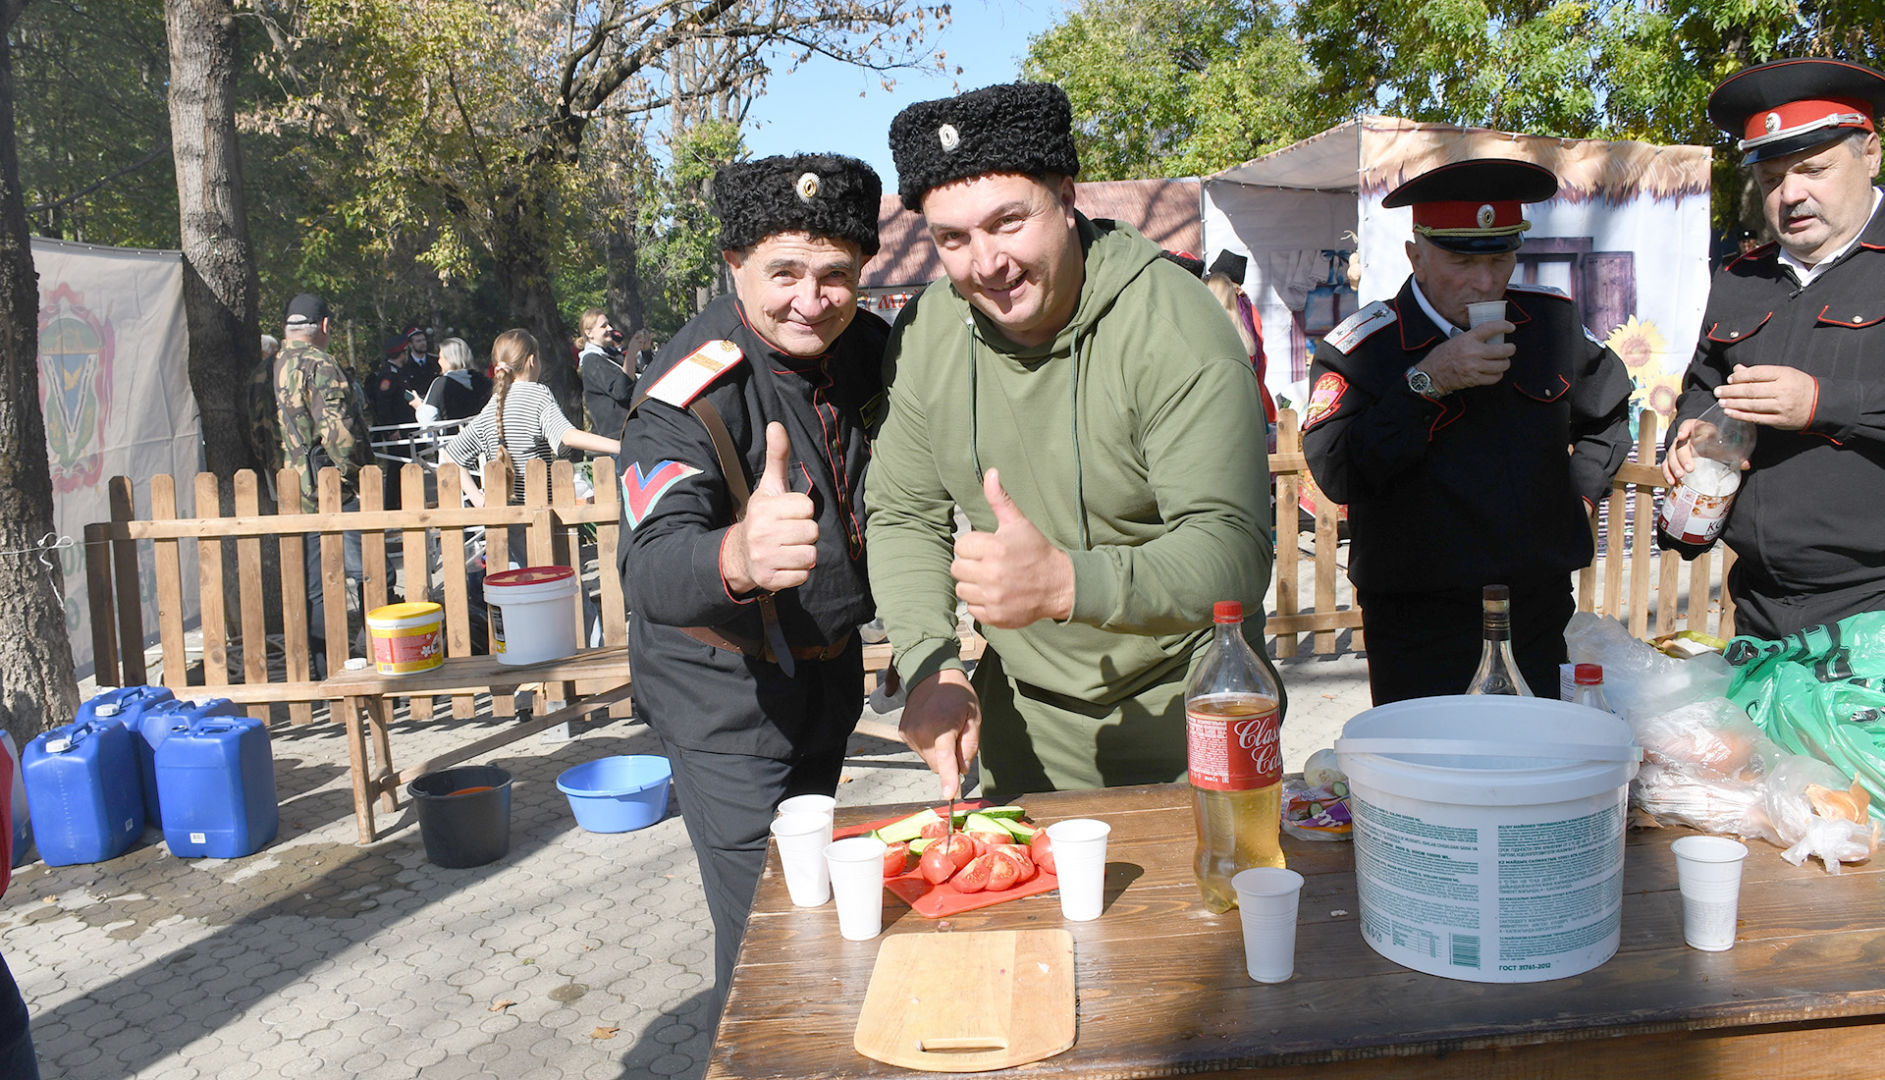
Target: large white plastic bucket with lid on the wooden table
column 1490, row 834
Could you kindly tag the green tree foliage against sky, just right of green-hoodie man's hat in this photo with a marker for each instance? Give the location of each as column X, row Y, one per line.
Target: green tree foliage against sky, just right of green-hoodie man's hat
column 1172, row 88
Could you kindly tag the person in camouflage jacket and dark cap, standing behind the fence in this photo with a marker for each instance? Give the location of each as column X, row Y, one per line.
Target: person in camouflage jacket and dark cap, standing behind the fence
column 306, row 416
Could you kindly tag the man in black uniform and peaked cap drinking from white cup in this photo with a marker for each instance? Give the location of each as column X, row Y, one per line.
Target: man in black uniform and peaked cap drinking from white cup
column 1467, row 457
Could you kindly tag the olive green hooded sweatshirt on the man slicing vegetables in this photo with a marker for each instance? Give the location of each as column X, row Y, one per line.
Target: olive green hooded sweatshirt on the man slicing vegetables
column 1134, row 442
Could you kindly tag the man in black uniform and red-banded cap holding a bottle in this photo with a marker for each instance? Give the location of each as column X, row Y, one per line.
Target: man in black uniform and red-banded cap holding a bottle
column 1792, row 342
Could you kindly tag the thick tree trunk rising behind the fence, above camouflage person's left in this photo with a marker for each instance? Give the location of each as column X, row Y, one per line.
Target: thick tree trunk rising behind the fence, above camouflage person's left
column 220, row 280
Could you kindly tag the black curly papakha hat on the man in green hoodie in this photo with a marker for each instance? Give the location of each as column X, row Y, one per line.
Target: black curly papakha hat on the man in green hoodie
column 1008, row 129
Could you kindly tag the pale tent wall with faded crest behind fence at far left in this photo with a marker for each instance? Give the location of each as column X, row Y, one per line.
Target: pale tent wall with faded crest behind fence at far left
column 116, row 391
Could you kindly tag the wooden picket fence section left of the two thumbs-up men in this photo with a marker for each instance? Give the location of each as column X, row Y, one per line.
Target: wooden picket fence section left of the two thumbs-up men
column 549, row 514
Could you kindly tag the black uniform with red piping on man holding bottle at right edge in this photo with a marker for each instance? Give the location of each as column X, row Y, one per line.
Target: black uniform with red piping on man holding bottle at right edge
column 1809, row 525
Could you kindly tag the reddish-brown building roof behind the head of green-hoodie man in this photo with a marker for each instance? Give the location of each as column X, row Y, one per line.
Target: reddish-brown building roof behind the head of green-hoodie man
column 1164, row 210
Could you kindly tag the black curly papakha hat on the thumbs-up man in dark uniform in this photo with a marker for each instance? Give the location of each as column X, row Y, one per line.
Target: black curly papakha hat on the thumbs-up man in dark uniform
column 823, row 195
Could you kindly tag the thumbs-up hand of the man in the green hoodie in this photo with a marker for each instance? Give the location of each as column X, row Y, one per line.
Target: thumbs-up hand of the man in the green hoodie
column 1013, row 576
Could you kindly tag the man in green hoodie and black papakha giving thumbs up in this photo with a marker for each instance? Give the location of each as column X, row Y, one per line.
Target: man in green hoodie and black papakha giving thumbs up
column 1094, row 416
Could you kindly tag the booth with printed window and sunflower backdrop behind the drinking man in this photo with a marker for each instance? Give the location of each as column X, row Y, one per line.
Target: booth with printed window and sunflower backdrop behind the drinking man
column 1626, row 237
